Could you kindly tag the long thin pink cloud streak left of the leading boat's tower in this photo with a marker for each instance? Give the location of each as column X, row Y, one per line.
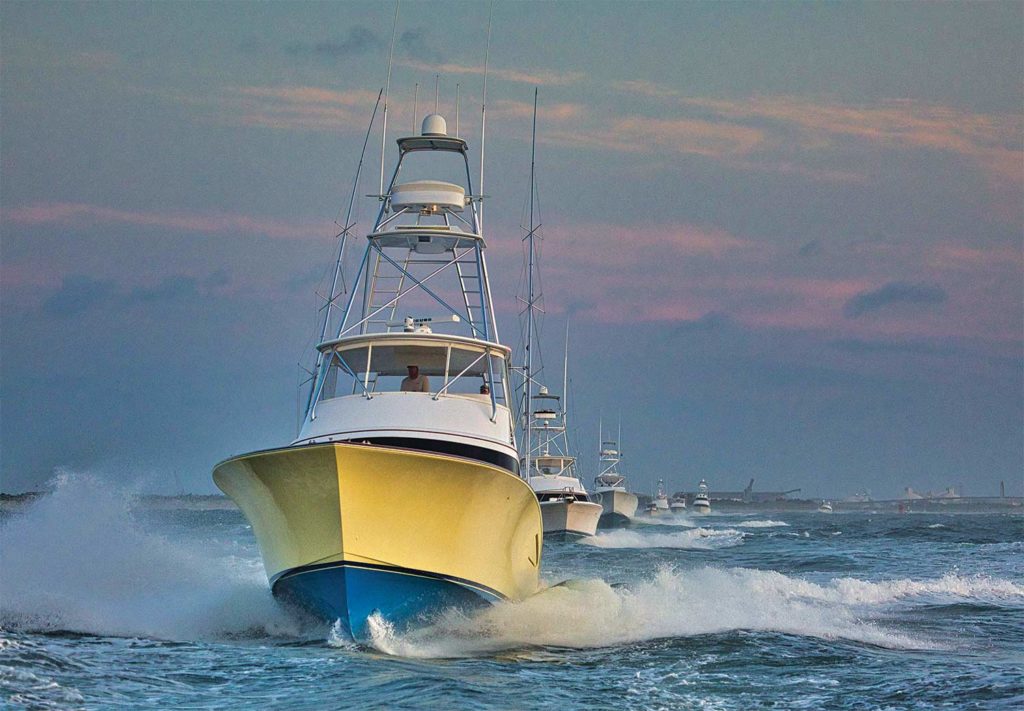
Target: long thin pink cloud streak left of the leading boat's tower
column 76, row 214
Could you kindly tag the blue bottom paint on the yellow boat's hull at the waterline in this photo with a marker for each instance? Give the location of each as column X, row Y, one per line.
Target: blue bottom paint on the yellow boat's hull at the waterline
column 352, row 594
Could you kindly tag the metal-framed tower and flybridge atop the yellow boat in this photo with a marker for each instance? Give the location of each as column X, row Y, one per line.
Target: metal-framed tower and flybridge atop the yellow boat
column 424, row 256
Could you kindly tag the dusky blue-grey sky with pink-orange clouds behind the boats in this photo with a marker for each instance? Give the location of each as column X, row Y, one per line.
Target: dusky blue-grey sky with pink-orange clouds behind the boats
column 787, row 237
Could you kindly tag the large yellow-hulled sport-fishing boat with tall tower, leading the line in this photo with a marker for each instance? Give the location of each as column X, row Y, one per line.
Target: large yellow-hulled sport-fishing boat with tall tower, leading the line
column 402, row 495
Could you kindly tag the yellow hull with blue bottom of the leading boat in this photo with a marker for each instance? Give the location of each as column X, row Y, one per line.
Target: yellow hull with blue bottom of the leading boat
column 347, row 530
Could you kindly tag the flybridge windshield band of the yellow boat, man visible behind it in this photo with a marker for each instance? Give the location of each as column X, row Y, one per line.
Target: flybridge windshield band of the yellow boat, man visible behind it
column 443, row 368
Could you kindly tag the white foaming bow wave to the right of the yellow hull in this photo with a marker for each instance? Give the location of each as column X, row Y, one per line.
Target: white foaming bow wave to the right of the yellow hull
column 674, row 604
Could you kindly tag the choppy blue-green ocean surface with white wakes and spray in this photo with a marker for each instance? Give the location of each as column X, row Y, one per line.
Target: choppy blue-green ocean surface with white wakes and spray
column 107, row 606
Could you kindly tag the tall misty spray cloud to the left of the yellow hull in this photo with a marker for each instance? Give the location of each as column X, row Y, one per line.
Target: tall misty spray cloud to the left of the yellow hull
column 76, row 560
